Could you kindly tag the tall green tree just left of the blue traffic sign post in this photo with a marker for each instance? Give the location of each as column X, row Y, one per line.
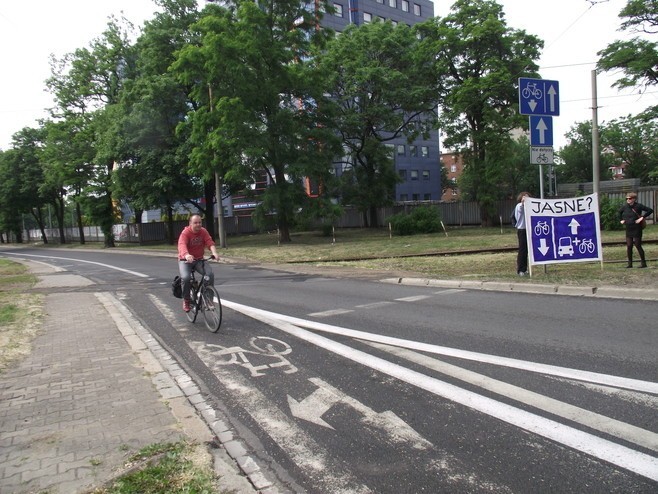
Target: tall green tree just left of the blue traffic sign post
column 480, row 59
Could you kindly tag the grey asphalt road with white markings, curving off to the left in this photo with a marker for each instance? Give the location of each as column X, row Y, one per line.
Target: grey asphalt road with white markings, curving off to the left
column 350, row 385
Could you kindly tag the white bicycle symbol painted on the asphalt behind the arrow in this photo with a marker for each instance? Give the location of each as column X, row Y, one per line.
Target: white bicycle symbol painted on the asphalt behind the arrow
column 265, row 349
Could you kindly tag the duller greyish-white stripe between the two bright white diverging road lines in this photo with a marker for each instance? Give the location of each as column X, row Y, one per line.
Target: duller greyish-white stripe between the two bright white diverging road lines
column 622, row 430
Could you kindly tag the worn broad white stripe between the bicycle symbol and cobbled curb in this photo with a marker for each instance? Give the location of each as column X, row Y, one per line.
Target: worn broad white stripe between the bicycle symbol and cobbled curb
column 292, row 439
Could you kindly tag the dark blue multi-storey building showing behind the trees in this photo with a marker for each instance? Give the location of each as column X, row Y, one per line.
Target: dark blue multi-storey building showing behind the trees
column 417, row 163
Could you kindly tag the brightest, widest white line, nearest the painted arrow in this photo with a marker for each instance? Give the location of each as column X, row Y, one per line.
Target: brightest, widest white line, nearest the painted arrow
column 597, row 447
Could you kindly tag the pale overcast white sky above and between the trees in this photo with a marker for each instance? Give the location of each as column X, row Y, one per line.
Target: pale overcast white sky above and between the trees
column 573, row 31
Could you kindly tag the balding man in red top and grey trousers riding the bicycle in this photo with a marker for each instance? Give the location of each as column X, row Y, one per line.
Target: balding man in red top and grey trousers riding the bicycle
column 192, row 244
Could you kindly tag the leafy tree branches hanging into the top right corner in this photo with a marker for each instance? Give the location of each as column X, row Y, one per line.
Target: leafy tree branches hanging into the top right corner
column 637, row 58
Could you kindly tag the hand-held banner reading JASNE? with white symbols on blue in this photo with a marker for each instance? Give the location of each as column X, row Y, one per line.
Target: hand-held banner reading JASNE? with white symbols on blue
column 563, row 230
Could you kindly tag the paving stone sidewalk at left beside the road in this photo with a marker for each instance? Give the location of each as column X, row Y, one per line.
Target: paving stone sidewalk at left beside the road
column 78, row 405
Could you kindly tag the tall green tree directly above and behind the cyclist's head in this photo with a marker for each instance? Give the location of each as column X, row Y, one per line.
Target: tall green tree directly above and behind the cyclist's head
column 152, row 170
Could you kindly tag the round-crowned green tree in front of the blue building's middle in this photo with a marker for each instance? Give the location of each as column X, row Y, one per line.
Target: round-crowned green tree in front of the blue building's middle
column 381, row 85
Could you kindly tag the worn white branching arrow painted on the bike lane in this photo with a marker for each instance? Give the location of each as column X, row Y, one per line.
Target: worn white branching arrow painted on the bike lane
column 322, row 399
